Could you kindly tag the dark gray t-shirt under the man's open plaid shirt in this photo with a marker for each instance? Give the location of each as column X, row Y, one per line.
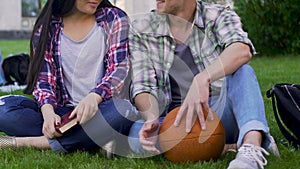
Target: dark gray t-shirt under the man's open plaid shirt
column 181, row 74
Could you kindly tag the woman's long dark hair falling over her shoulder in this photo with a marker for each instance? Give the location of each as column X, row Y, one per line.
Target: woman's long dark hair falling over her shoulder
column 58, row 8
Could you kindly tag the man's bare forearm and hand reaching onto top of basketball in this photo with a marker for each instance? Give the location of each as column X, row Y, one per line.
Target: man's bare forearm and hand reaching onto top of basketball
column 233, row 57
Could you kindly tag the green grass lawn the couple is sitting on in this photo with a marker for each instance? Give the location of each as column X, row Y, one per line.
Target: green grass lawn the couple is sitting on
column 269, row 70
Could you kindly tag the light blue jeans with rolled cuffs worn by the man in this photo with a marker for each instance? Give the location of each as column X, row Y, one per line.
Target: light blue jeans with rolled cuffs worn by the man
column 240, row 107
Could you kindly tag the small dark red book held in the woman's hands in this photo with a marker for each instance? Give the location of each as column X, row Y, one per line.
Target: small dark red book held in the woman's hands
column 66, row 123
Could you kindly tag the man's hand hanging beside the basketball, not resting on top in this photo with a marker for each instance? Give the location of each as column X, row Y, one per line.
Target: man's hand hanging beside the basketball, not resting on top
column 148, row 136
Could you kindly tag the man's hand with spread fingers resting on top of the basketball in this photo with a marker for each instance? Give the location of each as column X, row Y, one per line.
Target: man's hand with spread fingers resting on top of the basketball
column 196, row 100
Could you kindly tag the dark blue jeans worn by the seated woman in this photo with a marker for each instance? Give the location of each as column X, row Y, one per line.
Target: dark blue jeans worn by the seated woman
column 21, row 117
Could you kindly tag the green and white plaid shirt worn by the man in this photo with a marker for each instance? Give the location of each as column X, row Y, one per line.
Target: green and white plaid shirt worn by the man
column 152, row 47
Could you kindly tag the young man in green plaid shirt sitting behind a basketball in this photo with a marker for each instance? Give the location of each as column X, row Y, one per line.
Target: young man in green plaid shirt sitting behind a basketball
column 191, row 54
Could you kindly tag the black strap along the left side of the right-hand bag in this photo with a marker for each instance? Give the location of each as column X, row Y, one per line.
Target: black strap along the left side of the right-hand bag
column 295, row 142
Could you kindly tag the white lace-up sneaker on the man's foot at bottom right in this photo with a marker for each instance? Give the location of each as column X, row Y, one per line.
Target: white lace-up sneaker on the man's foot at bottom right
column 249, row 157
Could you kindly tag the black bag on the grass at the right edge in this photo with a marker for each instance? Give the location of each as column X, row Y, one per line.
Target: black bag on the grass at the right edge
column 286, row 107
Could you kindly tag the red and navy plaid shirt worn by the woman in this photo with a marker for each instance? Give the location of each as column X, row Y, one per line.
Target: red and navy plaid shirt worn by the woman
column 50, row 88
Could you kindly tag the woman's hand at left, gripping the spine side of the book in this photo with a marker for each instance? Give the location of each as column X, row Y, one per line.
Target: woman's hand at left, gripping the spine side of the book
column 50, row 120
